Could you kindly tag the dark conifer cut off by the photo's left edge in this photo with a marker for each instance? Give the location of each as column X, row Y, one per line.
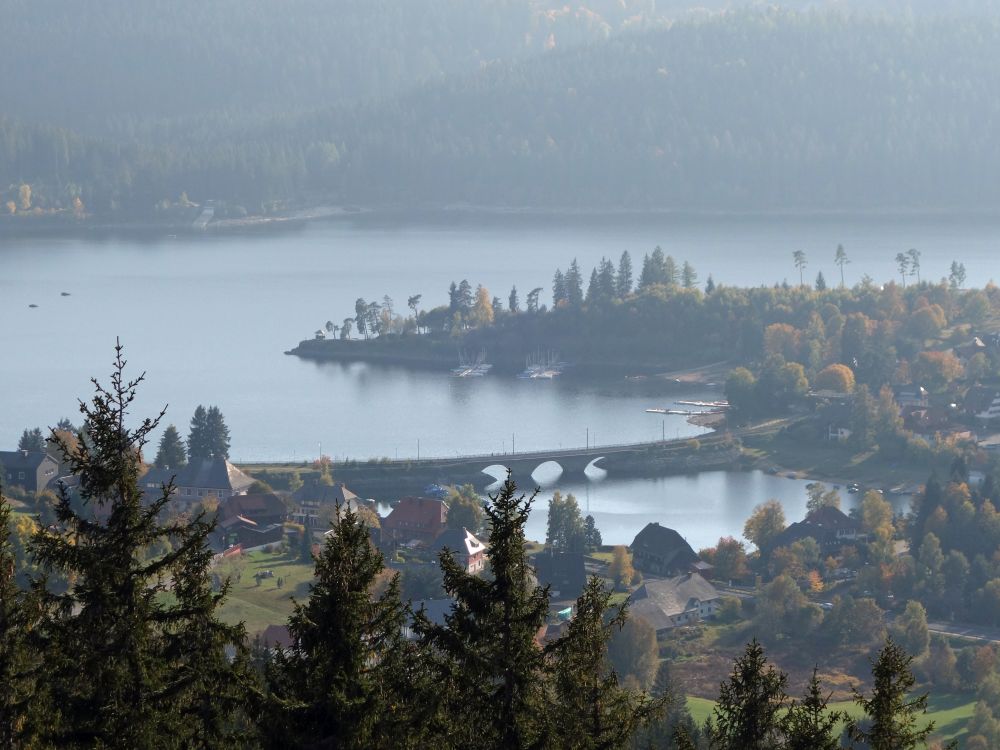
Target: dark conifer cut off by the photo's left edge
column 15, row 690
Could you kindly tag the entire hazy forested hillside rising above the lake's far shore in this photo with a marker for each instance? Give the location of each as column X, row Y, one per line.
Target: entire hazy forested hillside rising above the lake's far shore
column 612, row 106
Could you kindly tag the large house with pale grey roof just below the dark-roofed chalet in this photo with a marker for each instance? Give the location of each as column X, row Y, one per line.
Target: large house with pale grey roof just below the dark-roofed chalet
column 673, row 602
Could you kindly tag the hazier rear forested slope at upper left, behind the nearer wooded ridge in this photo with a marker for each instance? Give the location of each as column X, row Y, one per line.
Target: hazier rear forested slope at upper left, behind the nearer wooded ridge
column 120, row 63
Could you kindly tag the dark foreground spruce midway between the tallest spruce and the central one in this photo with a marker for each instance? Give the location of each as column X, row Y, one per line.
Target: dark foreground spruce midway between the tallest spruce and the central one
column 339, row 685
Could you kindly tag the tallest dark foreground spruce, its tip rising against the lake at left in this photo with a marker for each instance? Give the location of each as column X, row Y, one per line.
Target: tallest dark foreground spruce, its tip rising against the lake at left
column 112, row 674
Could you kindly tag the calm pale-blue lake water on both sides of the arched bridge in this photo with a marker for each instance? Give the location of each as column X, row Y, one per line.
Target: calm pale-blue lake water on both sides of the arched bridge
column 208, row 319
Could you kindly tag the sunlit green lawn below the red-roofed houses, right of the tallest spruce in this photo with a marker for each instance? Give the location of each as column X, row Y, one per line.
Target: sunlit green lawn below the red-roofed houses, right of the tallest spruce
column 260, row 606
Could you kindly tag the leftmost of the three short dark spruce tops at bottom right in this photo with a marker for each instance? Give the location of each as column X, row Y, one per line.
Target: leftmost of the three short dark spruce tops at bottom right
column 747, row 715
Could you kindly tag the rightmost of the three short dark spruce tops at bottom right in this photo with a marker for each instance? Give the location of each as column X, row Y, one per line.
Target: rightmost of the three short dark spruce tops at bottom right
column 891, row 713
